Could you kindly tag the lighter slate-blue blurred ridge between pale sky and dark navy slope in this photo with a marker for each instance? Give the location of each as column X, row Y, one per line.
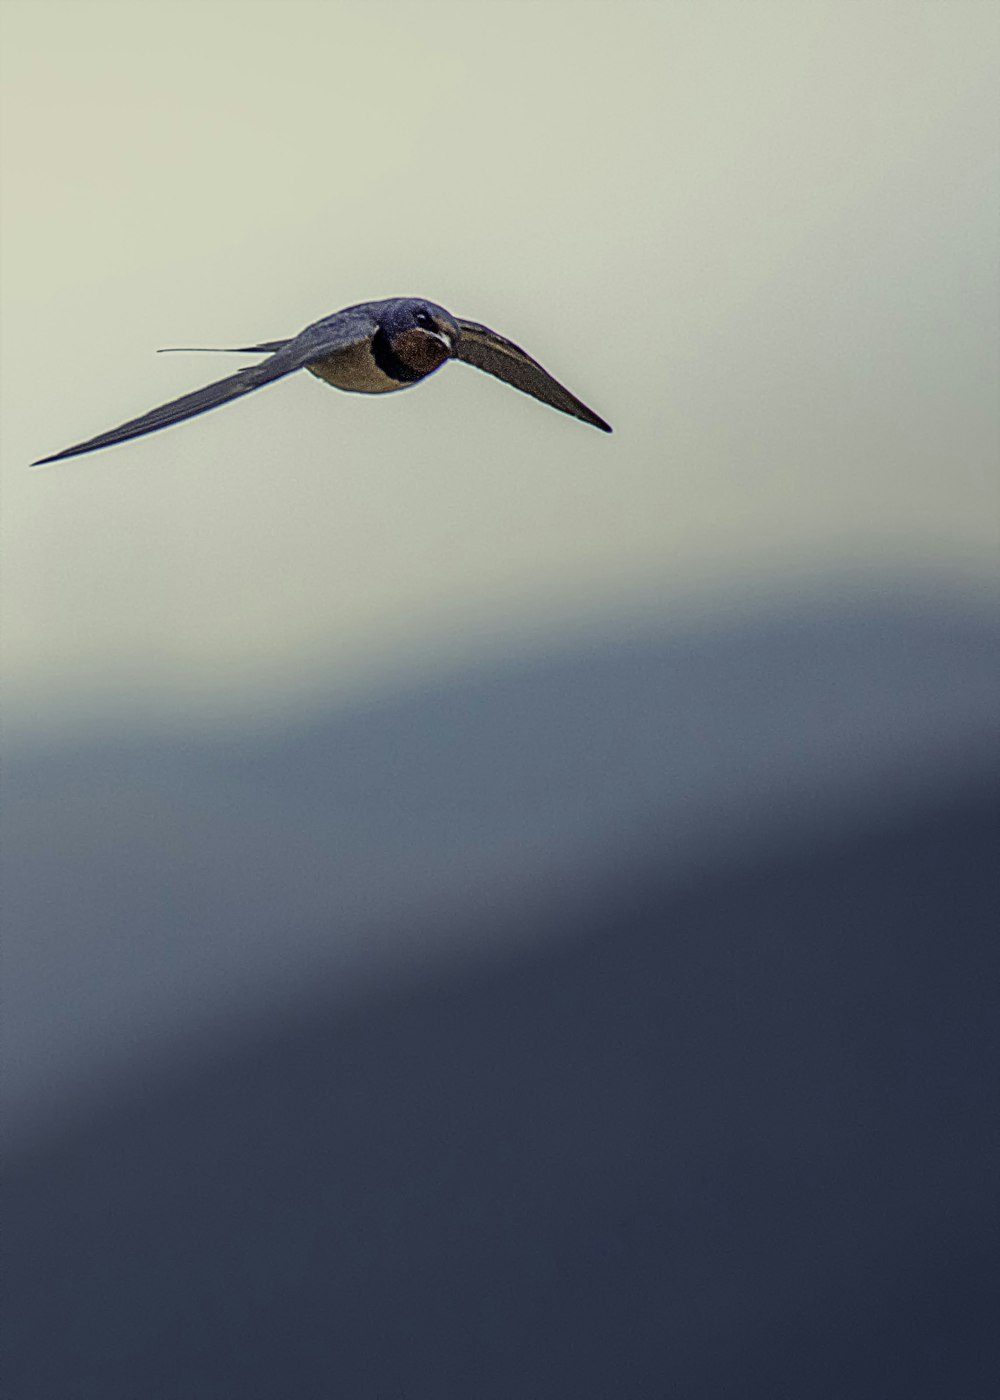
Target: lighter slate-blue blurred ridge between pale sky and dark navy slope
column 160, row 890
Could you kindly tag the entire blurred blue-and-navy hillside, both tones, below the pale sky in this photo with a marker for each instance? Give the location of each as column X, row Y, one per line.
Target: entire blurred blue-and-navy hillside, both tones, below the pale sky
column 618, row 1024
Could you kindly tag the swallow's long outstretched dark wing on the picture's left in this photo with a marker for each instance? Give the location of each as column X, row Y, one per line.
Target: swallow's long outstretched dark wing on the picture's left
column 337, row 332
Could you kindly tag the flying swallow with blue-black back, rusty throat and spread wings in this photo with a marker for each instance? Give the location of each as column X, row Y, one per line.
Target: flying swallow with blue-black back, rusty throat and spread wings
column 373, row 348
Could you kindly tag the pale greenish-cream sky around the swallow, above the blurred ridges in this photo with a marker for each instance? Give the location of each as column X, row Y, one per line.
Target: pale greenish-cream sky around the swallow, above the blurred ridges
column 760, row 239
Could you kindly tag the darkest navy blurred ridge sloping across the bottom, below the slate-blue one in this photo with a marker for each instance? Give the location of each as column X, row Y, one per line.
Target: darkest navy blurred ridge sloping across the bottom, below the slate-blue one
column 725, row 1136
